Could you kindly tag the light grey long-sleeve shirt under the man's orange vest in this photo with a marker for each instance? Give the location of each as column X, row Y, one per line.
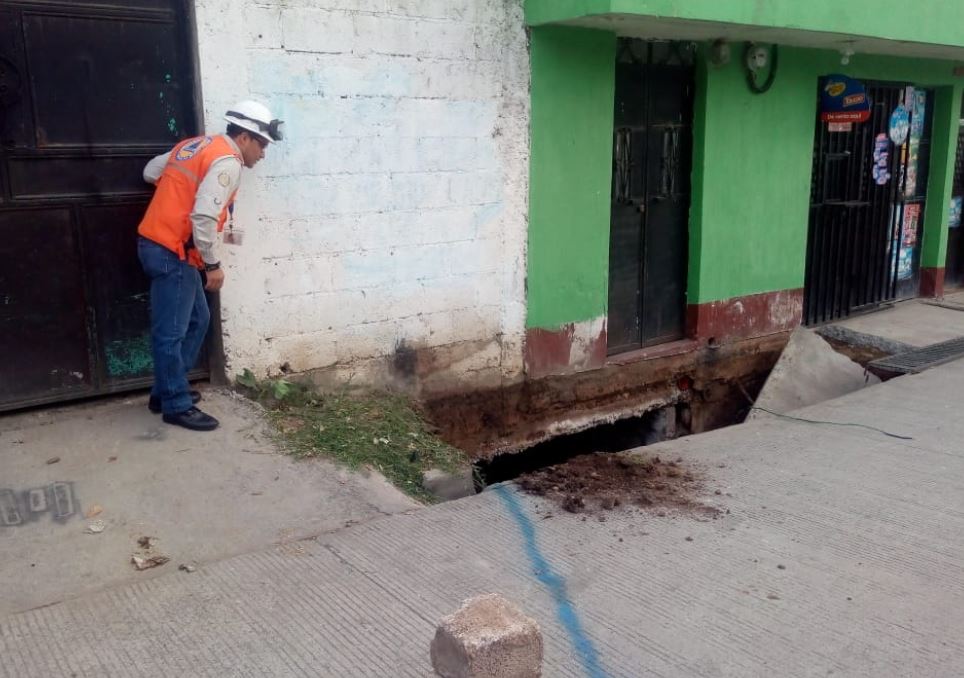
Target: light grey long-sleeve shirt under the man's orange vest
column 217, row 187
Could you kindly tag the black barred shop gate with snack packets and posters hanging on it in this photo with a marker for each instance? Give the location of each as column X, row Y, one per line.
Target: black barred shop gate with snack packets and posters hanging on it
column 865, row 224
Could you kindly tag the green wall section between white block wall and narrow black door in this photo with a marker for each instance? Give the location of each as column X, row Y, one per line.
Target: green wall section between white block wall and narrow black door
column 573, row 83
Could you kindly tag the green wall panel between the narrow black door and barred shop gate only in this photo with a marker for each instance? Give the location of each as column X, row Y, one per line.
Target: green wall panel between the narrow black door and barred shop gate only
column 751, row 181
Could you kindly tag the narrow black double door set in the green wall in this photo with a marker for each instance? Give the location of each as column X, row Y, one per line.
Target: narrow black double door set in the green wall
column 652, row 150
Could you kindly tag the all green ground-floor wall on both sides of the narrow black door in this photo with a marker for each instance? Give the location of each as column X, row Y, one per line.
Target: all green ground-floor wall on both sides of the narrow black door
column 751, row 171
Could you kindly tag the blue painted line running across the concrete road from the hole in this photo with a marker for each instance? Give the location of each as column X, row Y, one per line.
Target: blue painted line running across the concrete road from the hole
column 543, row 571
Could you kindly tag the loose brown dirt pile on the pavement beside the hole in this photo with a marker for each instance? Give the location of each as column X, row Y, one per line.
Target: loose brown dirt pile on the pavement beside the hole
column 601, row 482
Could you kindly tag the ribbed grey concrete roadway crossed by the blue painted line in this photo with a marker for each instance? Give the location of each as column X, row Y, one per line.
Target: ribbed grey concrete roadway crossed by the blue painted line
column 840, row 552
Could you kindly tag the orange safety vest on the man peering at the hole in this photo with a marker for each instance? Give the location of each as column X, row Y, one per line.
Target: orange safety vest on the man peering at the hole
column 168, row 218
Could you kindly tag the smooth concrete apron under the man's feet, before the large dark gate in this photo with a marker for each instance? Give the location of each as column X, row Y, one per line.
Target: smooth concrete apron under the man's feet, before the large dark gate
column 201, row 496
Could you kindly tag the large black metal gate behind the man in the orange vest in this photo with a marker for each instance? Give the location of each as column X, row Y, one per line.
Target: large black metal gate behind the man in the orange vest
column 89, row 91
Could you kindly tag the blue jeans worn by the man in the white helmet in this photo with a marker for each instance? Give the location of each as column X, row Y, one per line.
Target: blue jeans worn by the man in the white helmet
column 179, row 322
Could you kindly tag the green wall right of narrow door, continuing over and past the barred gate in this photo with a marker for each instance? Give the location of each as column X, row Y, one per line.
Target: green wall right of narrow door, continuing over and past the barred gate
column 752, row 164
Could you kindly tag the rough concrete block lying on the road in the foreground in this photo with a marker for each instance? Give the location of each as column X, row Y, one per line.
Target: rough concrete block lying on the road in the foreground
column 488, row 637
